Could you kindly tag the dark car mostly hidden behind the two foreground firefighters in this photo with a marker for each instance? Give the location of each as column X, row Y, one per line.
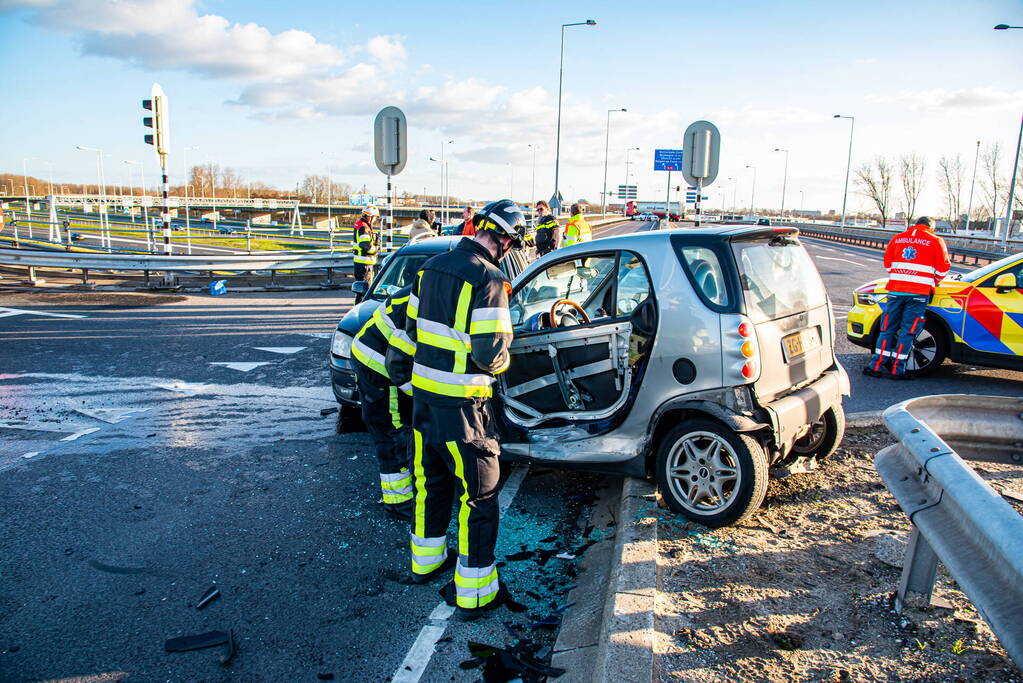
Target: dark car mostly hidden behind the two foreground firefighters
column 397, row 271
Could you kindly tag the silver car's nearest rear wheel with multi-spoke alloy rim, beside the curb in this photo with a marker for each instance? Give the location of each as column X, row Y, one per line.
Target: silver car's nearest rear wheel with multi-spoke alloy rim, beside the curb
column 710, row 474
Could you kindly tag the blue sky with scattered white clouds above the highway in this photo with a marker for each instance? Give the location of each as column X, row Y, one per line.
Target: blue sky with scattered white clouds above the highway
column 269, row 88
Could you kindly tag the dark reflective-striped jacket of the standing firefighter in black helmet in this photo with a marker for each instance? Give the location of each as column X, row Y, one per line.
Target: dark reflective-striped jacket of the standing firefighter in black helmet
column 459, row 321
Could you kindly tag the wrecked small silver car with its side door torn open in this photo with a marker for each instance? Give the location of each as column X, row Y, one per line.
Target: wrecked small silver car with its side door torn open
column 701, row 357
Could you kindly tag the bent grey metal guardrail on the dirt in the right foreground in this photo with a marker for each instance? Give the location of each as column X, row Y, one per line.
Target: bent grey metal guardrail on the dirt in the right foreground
column 958, row 519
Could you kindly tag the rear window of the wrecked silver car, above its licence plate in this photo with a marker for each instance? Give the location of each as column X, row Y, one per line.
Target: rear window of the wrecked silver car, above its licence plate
column 778, row 278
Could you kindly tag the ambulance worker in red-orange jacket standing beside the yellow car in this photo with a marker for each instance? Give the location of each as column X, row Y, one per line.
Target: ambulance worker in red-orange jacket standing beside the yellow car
column 917, row 261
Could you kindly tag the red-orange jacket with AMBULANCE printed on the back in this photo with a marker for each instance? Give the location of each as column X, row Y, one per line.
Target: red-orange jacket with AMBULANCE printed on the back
column 917, row 261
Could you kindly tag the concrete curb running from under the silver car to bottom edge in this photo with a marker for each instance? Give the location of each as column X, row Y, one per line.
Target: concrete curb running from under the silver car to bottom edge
column 626, row 651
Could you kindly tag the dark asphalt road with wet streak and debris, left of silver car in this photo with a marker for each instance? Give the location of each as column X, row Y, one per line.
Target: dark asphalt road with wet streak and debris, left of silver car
column 152, row 446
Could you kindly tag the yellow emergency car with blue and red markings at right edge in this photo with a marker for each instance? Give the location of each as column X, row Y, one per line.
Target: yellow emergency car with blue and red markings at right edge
column 975, row 318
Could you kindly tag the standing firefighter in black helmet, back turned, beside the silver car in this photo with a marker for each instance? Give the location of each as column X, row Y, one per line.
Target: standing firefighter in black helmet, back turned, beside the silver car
column 460, row 324
